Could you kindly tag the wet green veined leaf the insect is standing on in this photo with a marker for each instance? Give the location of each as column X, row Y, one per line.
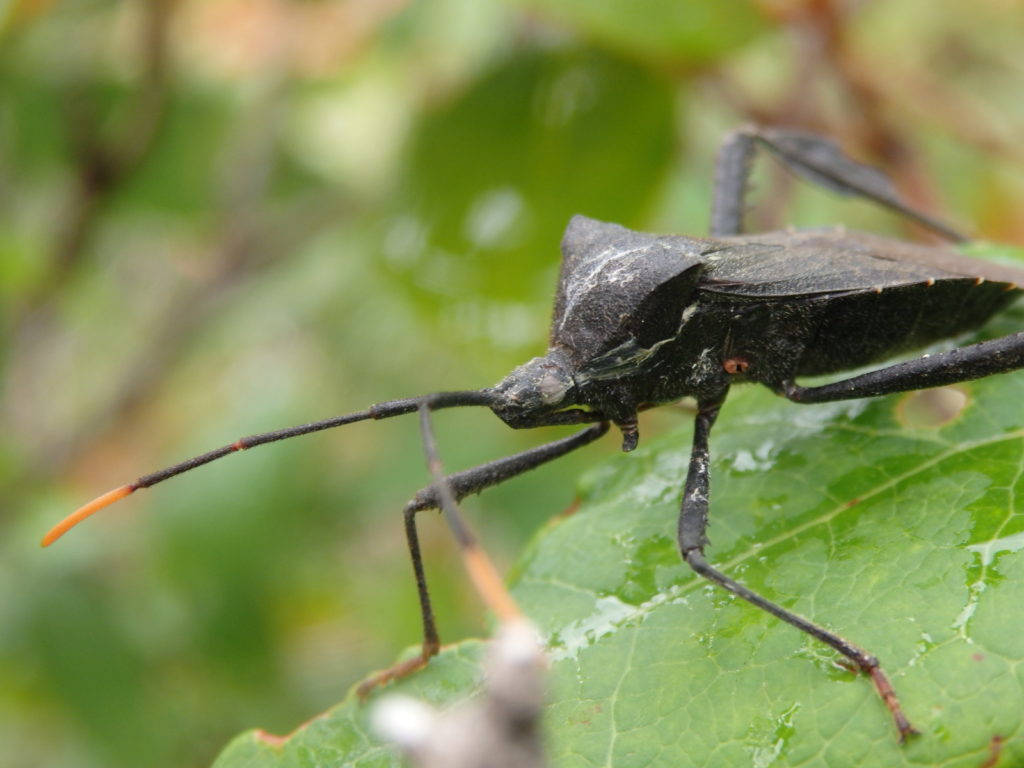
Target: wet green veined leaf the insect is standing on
column 906, row 540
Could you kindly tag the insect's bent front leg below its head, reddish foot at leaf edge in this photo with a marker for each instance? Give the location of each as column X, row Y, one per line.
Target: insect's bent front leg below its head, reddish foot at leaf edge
column 462, row 485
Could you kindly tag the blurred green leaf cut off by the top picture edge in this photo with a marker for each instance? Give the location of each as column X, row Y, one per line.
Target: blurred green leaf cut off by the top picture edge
column 692, row 32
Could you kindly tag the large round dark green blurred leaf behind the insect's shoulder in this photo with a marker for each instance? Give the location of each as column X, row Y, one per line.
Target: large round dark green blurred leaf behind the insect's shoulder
column 494, row 177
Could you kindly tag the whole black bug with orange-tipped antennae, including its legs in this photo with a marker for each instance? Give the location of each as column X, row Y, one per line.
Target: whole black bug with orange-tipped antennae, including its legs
column 645, row 320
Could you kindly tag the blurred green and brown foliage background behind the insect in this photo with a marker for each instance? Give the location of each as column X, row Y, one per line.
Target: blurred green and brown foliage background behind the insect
column 225, row 217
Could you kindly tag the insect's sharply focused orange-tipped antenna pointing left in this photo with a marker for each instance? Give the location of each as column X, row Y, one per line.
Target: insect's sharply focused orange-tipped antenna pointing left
column 379, row 411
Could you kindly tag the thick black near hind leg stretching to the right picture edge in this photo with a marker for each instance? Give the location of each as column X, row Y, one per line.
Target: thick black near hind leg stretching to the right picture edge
column 963, row 364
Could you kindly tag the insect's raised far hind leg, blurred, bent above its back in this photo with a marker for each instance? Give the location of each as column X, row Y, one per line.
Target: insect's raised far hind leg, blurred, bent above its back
column 817, row 159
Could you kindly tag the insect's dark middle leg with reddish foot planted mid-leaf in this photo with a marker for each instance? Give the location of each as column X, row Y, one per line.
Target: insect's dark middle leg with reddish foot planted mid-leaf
column 693, row 539
